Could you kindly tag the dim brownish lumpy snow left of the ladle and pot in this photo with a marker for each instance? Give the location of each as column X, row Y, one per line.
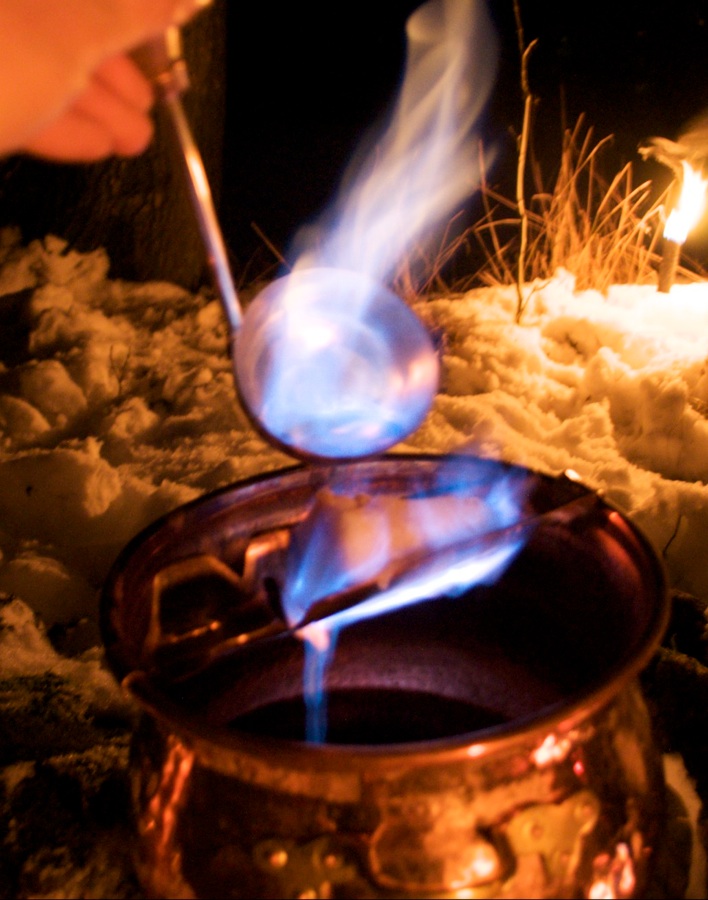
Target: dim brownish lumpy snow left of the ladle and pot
column 116, row 405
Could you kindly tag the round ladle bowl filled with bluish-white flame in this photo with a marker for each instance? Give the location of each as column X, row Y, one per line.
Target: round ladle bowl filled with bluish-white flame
column 335, row 363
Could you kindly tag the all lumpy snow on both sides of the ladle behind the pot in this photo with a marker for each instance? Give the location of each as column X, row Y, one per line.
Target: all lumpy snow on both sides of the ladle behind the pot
column 117, row 404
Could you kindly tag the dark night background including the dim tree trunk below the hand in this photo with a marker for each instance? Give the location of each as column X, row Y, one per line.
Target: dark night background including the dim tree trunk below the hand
column 283, row 94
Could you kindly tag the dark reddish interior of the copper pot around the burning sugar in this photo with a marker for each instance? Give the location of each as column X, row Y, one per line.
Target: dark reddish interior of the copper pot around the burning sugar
column 576, row 605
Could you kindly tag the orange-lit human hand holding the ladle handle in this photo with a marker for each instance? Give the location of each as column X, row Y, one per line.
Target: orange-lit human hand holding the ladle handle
column 75, row 95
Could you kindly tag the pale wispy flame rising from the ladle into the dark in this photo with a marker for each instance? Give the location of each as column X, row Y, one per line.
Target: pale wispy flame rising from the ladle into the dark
column 423, row 165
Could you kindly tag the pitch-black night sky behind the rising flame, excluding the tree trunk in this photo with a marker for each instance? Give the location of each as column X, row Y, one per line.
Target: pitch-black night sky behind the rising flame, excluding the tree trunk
column 305, row 84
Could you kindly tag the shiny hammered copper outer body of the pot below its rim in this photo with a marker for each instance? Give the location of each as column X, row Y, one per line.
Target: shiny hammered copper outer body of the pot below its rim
column 552, row 813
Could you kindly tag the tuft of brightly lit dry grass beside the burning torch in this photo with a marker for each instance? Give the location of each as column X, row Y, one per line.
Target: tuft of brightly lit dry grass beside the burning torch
column 602, row 231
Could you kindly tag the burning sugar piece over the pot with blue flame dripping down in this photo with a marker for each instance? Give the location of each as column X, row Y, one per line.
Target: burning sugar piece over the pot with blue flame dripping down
column 349, row 538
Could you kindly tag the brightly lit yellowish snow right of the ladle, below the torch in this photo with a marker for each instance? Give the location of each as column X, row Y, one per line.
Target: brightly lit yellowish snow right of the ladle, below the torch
column 614, row 388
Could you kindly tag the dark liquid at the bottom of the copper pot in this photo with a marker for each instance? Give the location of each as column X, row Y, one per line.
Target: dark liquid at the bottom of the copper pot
column 372, row 716
